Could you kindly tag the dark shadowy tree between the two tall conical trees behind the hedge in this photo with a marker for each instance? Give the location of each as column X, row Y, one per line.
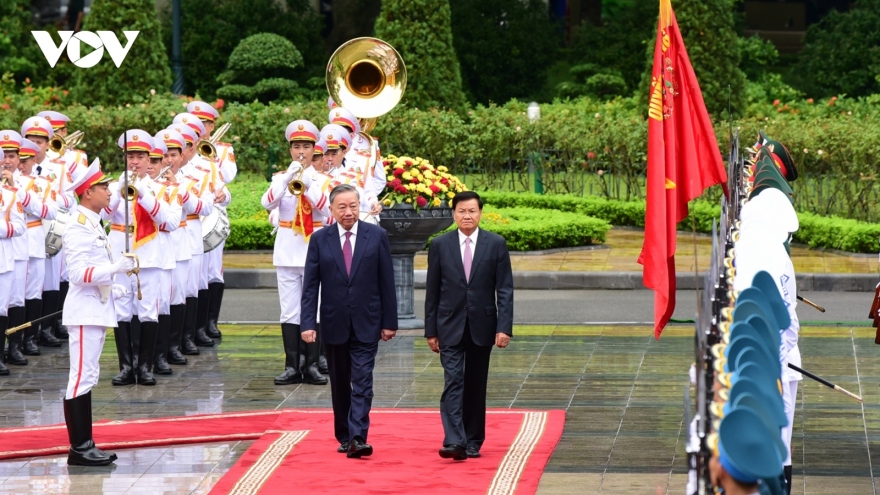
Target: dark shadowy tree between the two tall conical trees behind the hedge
column 504, row 47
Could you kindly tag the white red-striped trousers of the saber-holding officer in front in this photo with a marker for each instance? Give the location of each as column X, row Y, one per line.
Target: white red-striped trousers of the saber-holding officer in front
column 86, row 343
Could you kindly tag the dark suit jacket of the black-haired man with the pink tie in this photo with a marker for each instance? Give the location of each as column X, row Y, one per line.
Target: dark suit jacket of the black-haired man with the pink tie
column 486, row 301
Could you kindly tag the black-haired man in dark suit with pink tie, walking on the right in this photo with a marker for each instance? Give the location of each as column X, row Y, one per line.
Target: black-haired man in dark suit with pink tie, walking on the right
column 468, row 308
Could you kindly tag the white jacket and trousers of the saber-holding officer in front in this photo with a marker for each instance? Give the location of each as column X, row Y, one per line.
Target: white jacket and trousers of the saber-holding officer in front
column 88, row 310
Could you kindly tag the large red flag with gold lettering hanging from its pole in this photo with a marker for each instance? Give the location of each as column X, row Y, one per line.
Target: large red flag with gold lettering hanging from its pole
column 683, row 160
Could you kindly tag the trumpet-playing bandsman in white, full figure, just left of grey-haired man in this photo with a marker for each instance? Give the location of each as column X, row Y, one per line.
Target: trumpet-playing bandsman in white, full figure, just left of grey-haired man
column 296, row 195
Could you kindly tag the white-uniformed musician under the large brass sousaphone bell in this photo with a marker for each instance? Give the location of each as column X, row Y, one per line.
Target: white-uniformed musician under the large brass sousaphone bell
column 359, row 159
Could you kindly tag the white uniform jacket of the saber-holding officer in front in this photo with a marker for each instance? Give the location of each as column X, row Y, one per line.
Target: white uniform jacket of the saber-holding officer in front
column 89, row 261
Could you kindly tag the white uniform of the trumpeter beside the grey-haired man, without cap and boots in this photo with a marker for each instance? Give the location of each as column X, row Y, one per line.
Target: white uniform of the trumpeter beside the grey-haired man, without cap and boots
column 291, row 241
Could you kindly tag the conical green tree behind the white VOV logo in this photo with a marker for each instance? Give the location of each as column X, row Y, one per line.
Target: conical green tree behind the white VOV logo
column 145, row 67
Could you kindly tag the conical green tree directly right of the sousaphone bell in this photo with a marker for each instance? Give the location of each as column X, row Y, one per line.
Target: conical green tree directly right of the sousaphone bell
column 421, row 30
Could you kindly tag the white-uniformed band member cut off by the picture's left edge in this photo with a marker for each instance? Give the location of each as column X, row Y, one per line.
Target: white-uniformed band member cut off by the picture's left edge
column 11, row 225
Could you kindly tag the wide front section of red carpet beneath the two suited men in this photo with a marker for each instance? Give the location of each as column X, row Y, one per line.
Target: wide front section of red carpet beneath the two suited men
column 300, row 451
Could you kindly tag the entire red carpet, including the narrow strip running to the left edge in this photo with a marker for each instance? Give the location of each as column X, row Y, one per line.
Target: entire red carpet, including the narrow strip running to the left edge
column 296, row 448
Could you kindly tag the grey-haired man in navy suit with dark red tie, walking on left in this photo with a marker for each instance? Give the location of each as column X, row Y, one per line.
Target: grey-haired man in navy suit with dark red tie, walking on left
column 350, row 263
